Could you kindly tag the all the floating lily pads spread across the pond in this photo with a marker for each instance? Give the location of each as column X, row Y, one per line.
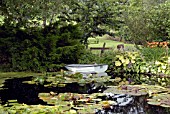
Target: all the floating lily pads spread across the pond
column 113, row 97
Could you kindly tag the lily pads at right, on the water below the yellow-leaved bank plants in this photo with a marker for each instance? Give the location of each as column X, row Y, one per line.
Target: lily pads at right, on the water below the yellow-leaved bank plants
column 158, row 95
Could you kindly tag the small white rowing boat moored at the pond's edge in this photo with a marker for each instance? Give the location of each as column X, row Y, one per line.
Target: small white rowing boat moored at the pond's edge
column 87, row 68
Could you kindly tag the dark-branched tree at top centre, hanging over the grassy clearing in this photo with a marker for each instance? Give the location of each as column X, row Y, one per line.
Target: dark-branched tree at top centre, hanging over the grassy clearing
column 97, row 17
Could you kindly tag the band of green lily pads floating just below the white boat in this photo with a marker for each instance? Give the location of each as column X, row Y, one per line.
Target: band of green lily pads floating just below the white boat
column 61, row 80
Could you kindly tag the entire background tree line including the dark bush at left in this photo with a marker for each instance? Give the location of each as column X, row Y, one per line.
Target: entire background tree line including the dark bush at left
column 41, row 35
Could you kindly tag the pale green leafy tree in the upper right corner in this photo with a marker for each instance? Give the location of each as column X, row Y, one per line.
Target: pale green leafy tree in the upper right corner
column 146, row 20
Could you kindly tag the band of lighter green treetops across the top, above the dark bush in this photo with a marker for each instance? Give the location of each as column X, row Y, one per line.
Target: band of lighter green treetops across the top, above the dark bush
column 135, row 21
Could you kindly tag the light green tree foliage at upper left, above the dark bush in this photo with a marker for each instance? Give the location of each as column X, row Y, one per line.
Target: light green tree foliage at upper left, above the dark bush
column 24, row 13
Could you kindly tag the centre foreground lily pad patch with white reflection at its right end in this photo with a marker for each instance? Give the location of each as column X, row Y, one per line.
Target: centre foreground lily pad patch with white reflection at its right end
column 86, row 103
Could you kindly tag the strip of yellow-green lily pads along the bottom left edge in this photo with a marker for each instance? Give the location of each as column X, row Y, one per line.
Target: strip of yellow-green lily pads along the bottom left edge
column 35, row 109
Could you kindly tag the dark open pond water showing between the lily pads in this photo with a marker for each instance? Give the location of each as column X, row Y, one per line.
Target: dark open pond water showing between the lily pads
column 15, row 89
